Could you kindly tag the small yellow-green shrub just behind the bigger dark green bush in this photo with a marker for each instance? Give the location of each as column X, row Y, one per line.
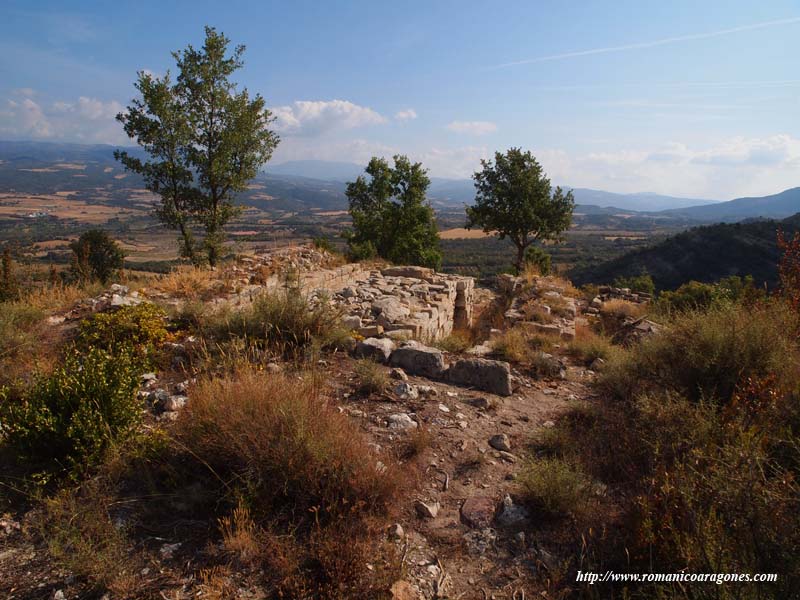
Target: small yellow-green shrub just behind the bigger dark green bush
column 141, row 328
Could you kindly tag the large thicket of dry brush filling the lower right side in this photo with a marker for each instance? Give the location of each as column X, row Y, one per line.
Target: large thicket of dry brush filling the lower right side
column 700, row 437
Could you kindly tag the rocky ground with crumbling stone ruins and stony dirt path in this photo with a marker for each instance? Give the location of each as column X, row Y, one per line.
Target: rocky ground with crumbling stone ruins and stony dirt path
column 462, row 532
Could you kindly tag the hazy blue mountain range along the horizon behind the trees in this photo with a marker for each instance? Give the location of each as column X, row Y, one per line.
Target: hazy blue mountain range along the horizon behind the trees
column 308, row 184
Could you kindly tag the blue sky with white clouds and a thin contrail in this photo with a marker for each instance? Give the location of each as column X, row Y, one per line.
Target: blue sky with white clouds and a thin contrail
column 698, row 99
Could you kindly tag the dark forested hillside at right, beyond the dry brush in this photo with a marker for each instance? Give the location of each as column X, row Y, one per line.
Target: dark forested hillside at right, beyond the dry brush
column 705, row 253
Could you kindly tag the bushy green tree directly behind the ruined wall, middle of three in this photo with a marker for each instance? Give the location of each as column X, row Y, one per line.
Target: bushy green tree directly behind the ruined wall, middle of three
column 391, row 216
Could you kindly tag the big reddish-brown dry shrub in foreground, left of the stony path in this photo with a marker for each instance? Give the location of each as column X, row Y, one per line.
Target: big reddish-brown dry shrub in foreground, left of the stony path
column 315, row 494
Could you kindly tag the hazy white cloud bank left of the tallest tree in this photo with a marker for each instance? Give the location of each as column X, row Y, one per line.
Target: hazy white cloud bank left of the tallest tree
column 87, row 120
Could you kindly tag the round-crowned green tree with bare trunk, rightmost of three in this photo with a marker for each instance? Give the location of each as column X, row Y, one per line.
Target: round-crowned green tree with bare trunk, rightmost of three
column 514, row 199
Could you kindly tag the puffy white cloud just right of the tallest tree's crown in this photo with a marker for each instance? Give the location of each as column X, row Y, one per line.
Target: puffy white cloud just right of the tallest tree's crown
column 315, row 117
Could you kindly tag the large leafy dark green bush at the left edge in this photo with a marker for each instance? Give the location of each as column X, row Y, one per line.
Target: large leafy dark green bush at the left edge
column 68, row 419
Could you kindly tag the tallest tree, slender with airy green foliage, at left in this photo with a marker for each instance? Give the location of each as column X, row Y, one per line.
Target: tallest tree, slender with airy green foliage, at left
column 204, row 138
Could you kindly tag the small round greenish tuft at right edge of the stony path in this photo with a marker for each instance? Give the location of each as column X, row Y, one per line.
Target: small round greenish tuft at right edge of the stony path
column 553, row 485
